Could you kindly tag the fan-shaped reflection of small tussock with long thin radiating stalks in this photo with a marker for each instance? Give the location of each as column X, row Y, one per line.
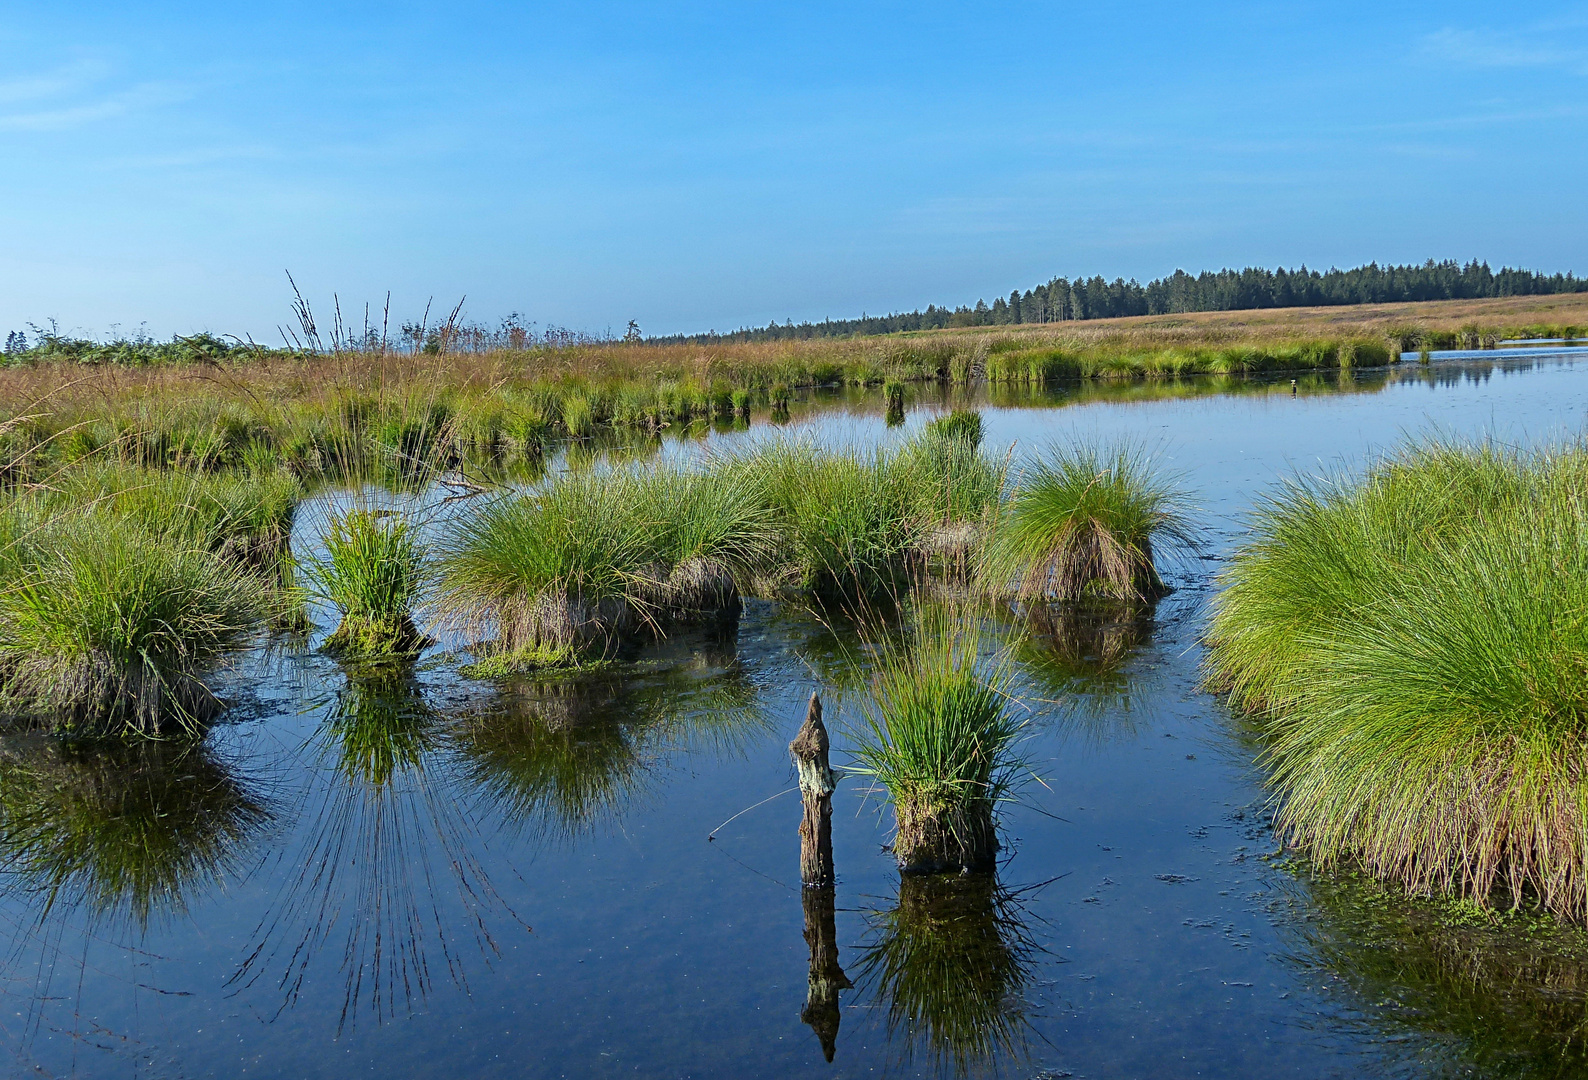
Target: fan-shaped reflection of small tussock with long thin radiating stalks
column 385, row 836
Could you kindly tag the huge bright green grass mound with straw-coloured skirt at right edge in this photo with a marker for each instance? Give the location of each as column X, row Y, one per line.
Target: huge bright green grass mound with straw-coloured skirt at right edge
column 1413, row 646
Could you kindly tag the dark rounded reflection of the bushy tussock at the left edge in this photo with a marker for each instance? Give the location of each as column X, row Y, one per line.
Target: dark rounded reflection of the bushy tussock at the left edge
column 125, row 830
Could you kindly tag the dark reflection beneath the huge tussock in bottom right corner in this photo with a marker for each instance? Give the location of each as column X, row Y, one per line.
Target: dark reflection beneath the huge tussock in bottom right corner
column 1446, row 989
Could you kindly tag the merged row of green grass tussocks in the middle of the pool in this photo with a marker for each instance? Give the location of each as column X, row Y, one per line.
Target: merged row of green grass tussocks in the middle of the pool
column 569, row 573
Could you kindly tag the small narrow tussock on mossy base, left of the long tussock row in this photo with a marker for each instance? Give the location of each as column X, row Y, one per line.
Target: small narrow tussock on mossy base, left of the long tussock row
column 374, row 571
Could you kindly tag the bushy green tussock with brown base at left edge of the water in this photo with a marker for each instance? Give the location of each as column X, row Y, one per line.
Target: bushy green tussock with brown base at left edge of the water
column 107, row 627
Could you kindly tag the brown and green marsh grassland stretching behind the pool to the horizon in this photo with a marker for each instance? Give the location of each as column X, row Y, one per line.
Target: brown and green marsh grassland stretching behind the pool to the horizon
column 291, row 404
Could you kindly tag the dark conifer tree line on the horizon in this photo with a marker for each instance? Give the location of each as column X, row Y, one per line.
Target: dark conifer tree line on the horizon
column 1063, row 301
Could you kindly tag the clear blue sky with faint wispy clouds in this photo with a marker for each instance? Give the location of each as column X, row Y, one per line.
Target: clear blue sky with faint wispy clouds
column 700, row 166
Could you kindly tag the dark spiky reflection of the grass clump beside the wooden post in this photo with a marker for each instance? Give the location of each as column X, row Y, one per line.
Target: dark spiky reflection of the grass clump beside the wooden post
column 950, row 963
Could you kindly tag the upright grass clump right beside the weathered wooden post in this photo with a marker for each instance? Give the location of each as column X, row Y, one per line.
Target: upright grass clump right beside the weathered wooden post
column 939, row 733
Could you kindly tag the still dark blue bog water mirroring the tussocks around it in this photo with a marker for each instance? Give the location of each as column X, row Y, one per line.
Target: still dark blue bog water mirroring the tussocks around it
column 436, row 877
